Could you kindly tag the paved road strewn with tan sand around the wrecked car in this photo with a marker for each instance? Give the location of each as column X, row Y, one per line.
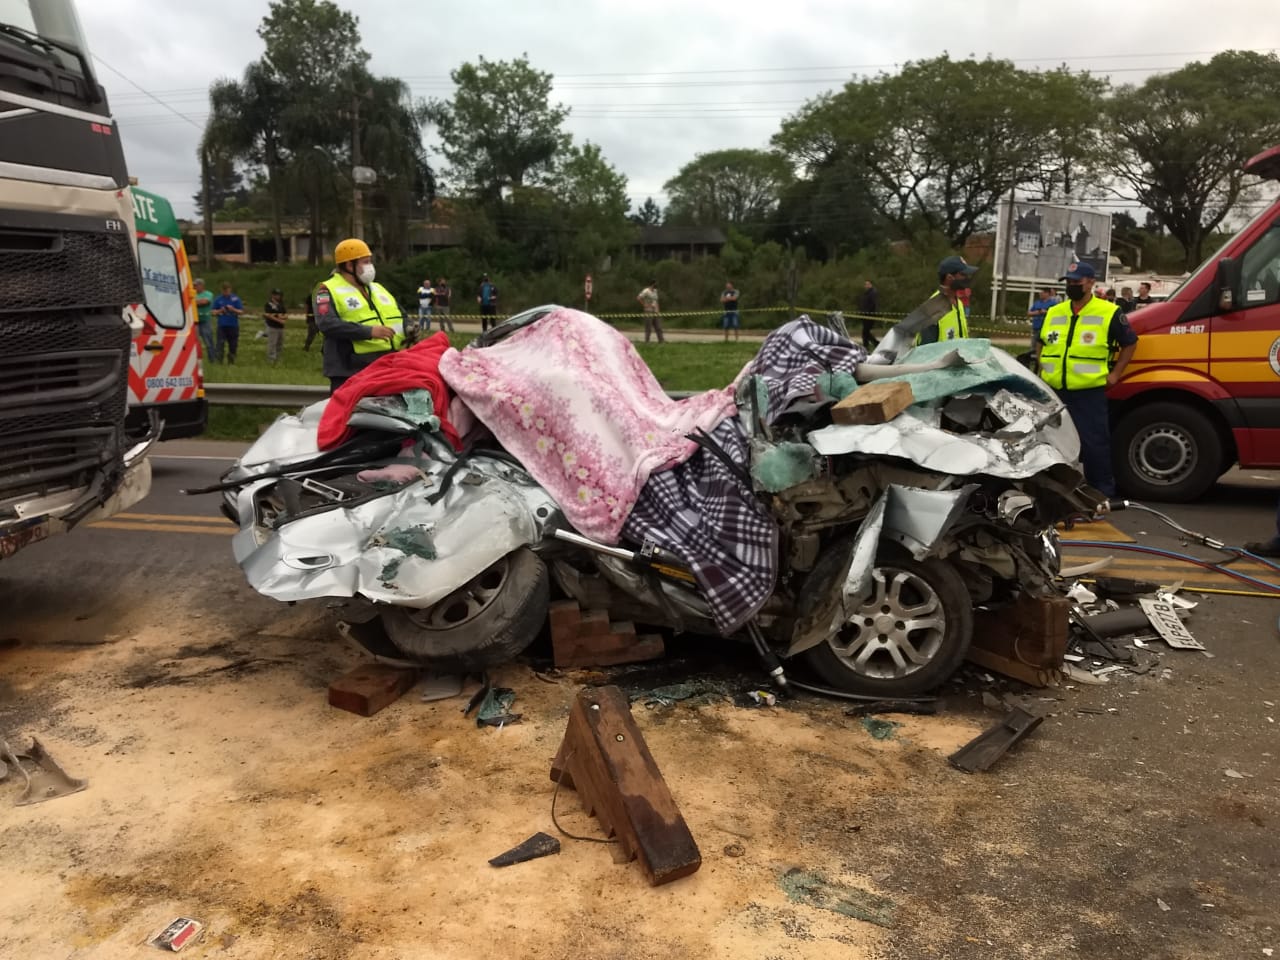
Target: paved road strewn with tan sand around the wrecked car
column 1139, row 821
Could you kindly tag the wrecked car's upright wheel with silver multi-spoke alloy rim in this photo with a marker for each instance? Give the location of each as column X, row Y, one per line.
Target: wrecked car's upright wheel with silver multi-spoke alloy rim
column 876, row 653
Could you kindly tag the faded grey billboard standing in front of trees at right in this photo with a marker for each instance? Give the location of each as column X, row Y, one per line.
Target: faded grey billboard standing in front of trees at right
column 1046, row 239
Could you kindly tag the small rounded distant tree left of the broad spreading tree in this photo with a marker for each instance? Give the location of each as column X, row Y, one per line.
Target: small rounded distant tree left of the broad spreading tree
column 728, row 188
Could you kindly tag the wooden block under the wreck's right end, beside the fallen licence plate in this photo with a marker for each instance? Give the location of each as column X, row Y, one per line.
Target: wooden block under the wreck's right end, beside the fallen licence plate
column 1025, row 641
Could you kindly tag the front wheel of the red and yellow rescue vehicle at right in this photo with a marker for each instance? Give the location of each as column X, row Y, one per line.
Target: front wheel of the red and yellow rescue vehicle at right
column 1167, row 452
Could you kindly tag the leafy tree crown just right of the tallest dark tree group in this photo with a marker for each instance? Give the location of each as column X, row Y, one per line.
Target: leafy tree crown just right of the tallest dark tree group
column 500, row 131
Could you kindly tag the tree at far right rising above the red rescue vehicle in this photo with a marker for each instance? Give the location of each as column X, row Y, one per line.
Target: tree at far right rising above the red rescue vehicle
column 1185, row 136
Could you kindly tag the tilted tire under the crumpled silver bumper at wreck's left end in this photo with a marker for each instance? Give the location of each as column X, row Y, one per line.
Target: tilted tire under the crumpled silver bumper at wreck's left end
column 486, row 623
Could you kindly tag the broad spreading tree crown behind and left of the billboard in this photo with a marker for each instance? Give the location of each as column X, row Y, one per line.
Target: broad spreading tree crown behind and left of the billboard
column 935, row 147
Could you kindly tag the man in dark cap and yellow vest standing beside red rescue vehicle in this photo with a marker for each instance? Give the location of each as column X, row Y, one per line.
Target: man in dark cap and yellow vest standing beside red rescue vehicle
column 1077, row 342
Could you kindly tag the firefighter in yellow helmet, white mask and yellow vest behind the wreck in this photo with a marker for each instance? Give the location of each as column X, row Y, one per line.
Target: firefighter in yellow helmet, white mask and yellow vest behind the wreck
column 359, row 318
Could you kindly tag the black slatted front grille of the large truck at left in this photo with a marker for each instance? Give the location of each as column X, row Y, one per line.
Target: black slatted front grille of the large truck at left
column 65, row 354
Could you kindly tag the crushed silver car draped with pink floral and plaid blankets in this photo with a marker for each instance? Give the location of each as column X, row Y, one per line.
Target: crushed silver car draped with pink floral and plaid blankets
column 861, row 550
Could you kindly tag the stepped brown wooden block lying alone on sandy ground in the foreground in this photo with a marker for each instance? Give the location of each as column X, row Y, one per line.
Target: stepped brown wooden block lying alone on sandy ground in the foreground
column 606, row 760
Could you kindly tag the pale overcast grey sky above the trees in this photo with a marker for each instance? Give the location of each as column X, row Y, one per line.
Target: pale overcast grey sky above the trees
column 652, row 83
